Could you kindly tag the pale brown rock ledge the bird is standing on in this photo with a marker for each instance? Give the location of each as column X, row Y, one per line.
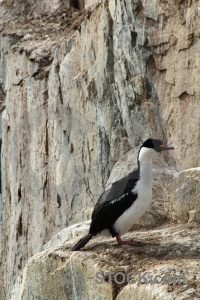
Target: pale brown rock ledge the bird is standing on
column 166, row 267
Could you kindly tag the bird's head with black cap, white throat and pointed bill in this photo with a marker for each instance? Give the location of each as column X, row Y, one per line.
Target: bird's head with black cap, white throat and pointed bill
column 150, row 147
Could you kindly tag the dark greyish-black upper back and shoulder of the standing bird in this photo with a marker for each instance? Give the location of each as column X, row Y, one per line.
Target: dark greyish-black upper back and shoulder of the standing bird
column 118, row 189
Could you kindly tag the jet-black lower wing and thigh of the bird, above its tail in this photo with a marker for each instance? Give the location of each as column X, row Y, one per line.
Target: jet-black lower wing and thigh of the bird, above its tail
column 109, row 211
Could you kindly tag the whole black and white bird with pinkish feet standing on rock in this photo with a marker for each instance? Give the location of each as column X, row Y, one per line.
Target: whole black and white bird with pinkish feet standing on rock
column 127, row 200
